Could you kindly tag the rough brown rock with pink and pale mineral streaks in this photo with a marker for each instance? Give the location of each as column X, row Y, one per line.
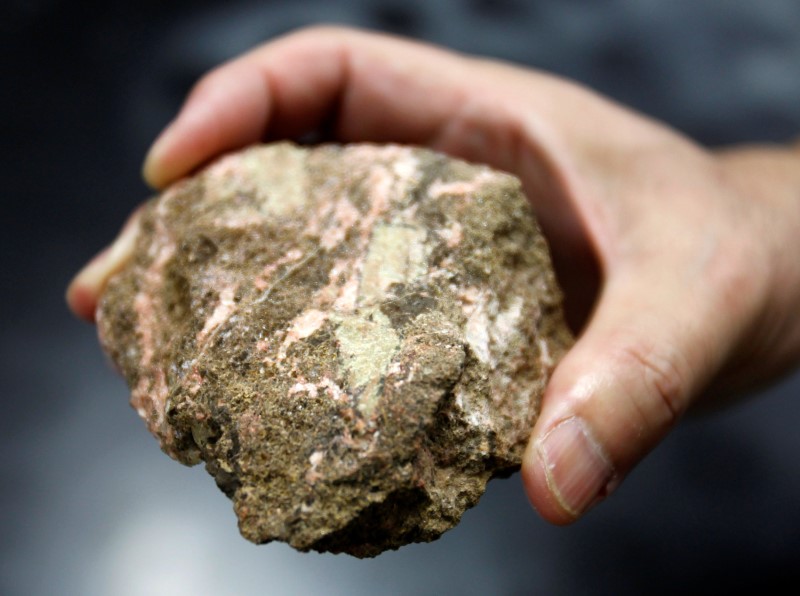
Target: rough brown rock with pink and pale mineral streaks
column 353, row 339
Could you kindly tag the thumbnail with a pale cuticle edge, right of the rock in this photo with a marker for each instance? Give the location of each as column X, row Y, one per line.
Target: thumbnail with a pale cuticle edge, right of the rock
column 577, row 469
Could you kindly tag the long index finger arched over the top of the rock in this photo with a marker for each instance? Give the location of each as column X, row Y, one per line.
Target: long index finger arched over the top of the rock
column 365, row 87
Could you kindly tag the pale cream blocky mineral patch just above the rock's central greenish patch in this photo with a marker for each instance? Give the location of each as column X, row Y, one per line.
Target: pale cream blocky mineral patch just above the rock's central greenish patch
column 396, row 254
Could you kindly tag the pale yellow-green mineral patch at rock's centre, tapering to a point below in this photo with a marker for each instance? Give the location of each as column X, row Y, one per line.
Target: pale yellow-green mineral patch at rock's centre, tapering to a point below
column 367, row 343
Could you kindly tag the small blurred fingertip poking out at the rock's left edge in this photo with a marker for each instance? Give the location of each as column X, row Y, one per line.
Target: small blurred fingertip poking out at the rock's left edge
column 85, row 289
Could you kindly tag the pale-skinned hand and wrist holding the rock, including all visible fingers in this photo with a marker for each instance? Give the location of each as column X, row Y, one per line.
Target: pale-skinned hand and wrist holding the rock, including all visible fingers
column 680, row 264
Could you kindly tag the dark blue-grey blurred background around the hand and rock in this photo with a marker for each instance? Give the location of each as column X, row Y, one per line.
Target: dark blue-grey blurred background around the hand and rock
column 89, row 504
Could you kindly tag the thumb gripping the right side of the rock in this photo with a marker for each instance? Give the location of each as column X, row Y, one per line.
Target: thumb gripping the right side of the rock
column 619, row 390
